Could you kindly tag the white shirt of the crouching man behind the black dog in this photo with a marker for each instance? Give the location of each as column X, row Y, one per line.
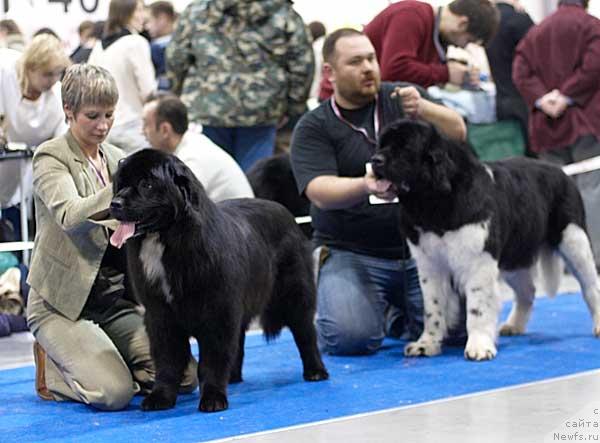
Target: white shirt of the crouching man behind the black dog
column 218, row 172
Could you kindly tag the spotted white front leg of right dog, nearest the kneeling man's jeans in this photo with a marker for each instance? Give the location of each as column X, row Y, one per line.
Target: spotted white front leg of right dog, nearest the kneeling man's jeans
column 435, row 288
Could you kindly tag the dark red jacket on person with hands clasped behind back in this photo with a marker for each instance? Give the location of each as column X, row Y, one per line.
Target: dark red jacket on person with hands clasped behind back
column 562, row 52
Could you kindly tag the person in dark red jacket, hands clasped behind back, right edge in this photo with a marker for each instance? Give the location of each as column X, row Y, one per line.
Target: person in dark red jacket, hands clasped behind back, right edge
column 557, row 71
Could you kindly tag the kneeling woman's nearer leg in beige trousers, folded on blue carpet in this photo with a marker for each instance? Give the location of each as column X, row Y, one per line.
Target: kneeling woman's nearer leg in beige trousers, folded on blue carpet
column 81, row 361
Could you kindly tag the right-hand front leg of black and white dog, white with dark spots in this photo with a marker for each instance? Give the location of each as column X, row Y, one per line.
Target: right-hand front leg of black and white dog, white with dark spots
column 483, row 306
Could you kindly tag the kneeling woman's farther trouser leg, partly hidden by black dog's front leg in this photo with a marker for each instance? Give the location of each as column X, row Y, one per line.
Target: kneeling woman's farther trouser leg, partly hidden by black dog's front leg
column 128, row 333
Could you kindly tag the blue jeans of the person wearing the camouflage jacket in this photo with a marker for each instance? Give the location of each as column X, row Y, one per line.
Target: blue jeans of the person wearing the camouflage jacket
column 245, row 145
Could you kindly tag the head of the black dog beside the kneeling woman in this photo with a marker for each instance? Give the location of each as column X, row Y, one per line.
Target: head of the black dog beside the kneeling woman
column 154, row 190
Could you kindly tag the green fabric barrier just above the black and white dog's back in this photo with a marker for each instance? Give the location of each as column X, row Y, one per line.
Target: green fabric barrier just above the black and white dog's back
column 495, row 141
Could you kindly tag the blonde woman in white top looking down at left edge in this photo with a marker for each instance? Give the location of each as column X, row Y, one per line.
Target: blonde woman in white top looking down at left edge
column 30, row 103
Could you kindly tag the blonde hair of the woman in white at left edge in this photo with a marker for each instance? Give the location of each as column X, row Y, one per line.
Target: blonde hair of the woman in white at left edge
column 45, row 52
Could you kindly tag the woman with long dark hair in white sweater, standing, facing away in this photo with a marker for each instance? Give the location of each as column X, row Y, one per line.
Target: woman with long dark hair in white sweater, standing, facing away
column 126, row 55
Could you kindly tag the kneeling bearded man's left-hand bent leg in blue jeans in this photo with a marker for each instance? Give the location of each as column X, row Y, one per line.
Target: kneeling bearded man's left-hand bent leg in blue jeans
column 351, row 302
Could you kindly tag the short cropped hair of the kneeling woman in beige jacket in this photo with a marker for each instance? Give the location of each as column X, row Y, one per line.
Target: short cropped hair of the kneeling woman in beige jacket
column 88, row 85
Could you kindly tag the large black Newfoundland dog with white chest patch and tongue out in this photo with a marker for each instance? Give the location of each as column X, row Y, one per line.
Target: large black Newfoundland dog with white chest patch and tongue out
column 205, row 270
